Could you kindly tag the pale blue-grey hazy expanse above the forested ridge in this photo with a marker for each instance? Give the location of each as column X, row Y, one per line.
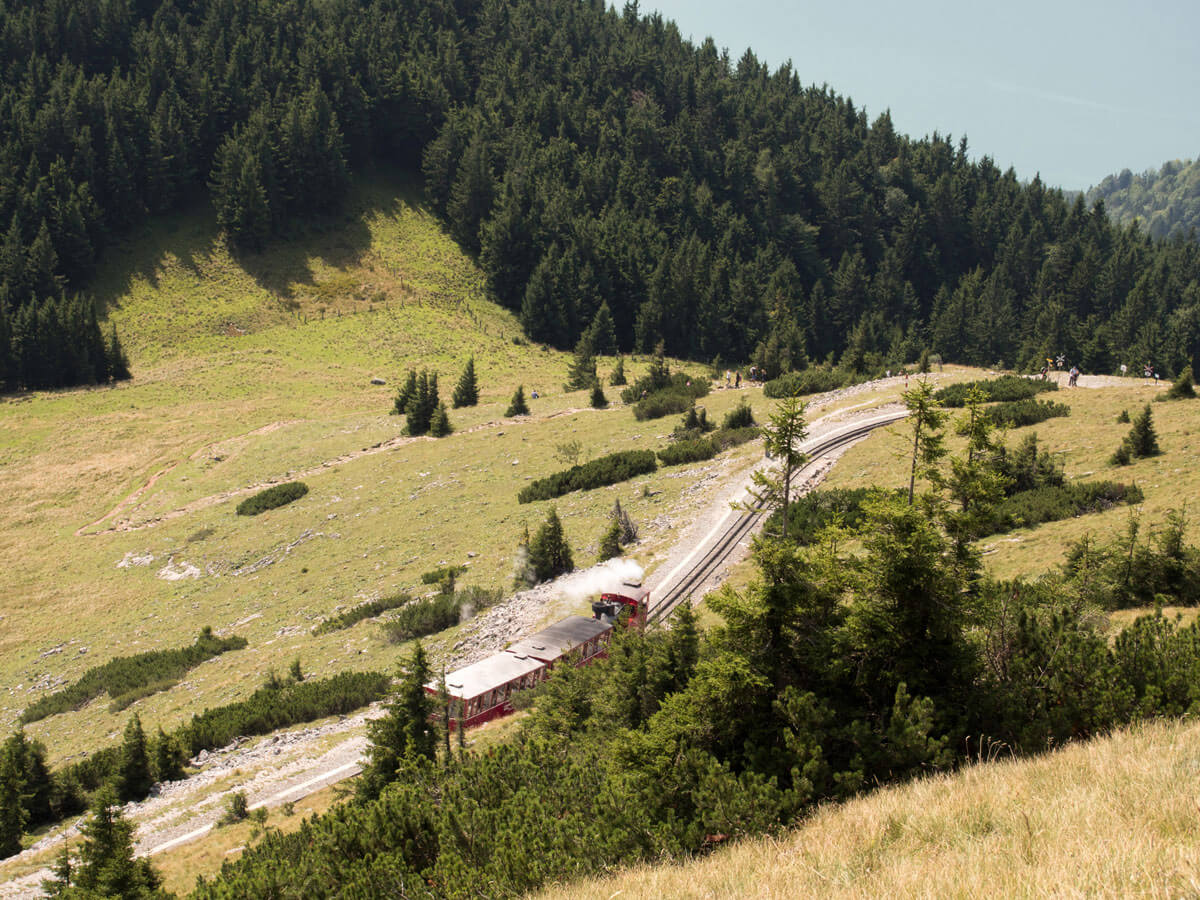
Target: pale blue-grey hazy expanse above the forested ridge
column 1069, row 89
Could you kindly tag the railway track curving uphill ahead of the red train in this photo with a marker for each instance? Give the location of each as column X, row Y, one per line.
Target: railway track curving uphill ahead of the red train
column 712, row 553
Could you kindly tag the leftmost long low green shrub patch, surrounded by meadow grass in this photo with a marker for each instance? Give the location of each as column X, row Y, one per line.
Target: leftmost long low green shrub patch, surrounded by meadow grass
column 130, row 679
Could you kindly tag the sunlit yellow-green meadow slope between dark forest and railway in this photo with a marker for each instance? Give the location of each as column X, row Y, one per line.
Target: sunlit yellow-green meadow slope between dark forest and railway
column 119, row 535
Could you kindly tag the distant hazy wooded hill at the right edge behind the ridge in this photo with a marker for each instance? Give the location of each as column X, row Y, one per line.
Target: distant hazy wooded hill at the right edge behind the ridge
column 1167, row 202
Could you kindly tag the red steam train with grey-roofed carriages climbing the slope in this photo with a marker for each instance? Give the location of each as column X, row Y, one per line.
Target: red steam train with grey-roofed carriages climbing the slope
column 484, row 691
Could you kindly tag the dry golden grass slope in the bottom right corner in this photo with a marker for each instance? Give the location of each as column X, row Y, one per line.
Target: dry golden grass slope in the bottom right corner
column 1112, row 818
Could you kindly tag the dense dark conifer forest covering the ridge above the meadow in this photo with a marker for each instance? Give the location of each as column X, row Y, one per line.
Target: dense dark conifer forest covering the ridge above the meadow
column 589, row 157
